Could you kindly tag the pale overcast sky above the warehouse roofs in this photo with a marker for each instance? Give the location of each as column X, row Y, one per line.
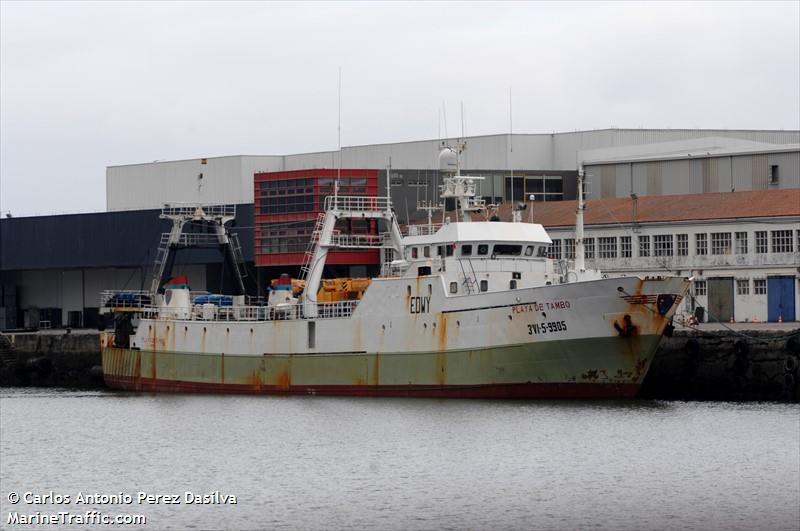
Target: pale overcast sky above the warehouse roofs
column 88, row 85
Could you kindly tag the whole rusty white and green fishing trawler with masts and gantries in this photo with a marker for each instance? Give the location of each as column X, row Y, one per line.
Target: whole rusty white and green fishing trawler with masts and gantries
column 465, row 308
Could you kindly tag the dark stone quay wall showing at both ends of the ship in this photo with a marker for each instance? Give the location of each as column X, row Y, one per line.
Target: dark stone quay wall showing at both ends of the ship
column 690, row 365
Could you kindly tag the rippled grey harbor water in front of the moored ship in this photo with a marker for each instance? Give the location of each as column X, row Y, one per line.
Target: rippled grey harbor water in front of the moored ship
column 342, row 463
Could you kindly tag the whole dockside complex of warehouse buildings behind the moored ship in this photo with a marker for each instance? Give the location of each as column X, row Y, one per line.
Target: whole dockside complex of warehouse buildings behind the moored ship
column 721, row 206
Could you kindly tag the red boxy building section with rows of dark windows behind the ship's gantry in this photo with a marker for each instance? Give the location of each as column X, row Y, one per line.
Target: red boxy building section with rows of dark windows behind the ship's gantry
column 287, row 205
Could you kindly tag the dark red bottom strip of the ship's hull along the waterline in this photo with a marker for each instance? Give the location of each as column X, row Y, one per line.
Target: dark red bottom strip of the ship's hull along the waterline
column 522, row 390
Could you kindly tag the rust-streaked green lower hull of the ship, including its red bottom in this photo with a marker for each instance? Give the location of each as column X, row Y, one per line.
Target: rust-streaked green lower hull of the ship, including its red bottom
column 610, row 367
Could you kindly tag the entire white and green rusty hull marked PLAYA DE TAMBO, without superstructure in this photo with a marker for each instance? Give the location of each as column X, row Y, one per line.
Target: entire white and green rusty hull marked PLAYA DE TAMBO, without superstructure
column 409, row 338
